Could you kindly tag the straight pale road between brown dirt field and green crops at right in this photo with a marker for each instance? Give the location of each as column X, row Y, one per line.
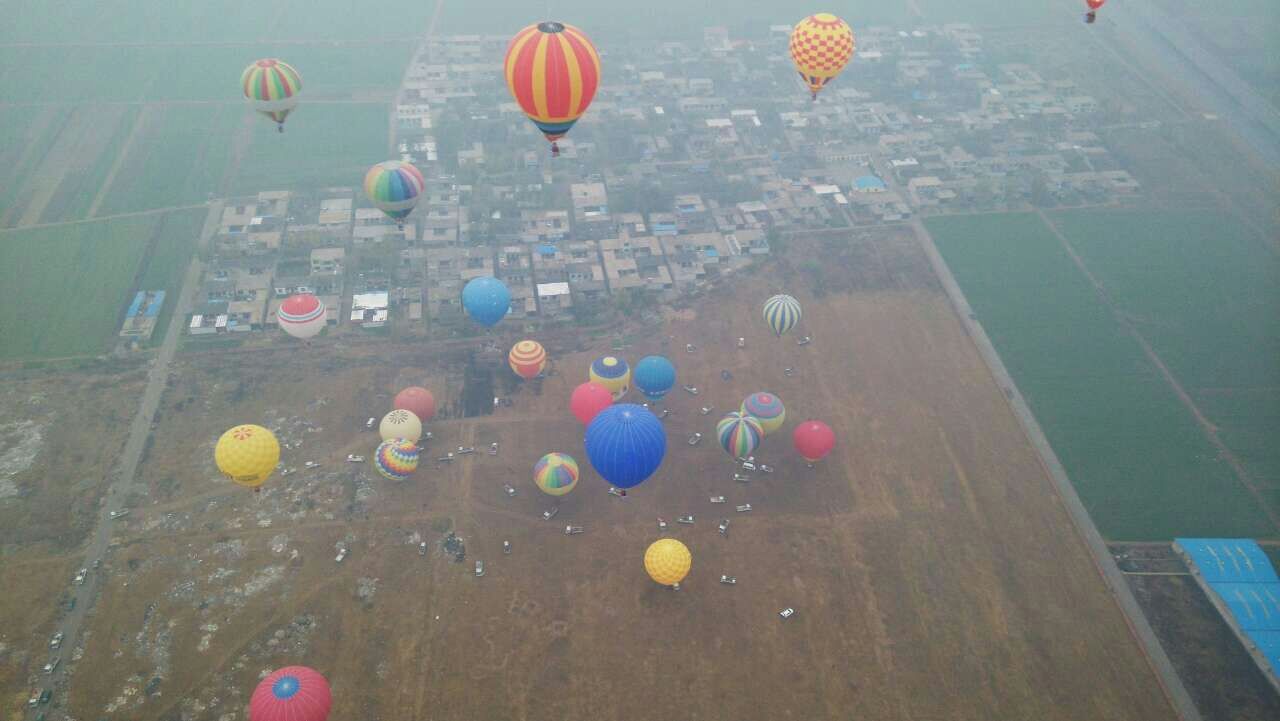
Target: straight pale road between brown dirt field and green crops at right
column 1107, row 565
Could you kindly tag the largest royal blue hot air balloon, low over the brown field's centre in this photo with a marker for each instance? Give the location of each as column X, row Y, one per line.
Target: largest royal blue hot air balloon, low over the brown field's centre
column 625, row 445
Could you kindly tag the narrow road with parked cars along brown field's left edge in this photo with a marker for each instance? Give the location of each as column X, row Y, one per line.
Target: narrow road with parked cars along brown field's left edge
column 127, row 468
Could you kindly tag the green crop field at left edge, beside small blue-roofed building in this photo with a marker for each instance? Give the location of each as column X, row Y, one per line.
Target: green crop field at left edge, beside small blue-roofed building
column 67, row 286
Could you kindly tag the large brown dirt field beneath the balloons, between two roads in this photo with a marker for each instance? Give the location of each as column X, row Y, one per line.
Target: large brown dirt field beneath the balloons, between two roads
column 934, row 572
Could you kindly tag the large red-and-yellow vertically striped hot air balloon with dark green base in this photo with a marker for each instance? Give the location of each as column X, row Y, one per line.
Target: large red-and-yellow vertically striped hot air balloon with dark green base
column 552, row 71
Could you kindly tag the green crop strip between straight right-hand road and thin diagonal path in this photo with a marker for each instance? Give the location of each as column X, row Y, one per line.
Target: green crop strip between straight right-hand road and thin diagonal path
column 1137, row 458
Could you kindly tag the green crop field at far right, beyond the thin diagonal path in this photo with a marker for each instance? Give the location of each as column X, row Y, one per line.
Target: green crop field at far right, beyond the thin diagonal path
column 1204, row 291
